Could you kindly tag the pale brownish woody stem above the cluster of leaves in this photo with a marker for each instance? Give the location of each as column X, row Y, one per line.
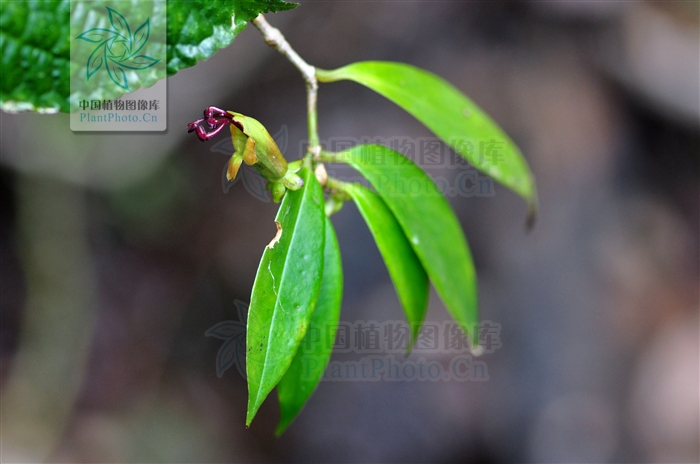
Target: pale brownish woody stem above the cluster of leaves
column 274, row 38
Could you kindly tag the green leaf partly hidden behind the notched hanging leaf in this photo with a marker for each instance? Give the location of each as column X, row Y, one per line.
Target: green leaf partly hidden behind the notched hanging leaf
column 309, row 364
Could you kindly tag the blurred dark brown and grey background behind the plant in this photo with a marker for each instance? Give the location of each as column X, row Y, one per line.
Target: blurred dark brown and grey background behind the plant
column 120, row 250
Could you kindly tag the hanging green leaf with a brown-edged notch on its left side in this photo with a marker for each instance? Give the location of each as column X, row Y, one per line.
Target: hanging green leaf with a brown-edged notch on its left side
column 285, row 290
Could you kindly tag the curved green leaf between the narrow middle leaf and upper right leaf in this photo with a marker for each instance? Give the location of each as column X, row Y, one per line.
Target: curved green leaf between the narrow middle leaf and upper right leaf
column 429, row 223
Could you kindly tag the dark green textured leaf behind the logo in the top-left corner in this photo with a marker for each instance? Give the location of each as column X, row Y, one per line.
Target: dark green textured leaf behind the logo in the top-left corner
column 35, row 43
